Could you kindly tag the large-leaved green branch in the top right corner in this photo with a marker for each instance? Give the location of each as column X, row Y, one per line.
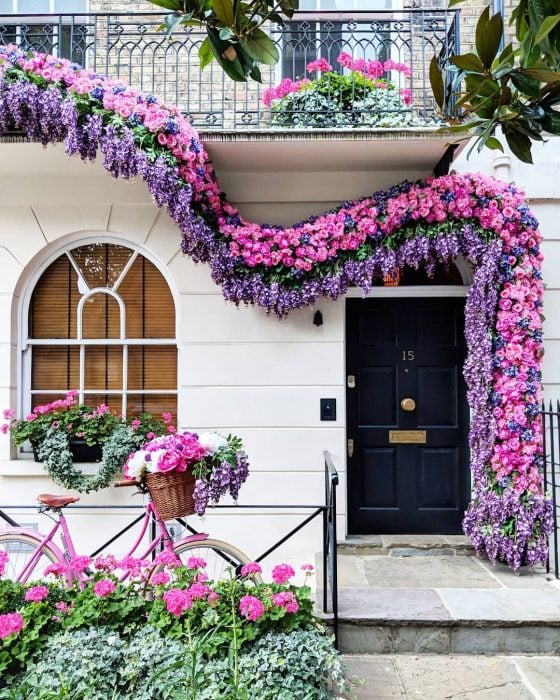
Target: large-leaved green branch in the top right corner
column 515, row 90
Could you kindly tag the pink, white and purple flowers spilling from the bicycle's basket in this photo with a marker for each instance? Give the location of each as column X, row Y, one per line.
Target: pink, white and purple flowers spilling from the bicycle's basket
column 219, row 464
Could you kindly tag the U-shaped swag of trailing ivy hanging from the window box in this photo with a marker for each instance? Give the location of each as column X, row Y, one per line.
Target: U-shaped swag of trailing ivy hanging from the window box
column 54, row 451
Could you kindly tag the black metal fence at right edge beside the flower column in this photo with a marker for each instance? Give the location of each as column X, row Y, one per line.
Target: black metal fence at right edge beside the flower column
column 551, row 432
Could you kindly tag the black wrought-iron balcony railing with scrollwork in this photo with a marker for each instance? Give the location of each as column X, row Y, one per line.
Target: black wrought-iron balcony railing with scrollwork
column 128, row 47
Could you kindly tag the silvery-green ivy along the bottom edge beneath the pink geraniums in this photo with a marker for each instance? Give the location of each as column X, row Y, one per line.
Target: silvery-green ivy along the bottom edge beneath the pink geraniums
column 100, row 664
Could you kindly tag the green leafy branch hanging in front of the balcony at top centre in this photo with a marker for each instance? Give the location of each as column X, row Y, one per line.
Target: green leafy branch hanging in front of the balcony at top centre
column 235, row 36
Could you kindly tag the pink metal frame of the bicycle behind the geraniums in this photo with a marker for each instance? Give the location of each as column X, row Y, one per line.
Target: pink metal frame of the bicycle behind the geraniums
column 68, row 552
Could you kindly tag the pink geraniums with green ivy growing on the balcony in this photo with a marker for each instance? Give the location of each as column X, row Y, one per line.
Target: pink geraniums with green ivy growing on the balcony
column 365, row 96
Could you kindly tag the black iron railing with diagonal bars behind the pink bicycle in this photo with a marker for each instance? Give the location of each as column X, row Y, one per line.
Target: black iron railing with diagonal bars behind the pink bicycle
column 329, row 538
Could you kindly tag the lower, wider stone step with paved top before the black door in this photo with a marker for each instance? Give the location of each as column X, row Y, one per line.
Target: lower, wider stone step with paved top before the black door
column 445, row 605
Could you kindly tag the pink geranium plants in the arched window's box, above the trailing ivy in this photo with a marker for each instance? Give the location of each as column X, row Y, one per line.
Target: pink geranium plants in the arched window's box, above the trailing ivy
column 91, row 424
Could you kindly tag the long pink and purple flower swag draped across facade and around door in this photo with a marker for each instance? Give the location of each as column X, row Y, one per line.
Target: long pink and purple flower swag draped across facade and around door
column 280, row 269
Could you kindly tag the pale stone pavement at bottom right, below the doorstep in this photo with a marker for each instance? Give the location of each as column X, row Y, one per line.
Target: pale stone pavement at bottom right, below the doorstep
column 455, row 677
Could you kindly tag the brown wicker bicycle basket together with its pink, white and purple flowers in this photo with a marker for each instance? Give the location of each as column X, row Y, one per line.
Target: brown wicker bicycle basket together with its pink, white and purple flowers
column 183, row 472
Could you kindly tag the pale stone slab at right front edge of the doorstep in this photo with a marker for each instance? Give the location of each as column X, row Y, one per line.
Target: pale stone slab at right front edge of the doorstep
column 503, row 604
